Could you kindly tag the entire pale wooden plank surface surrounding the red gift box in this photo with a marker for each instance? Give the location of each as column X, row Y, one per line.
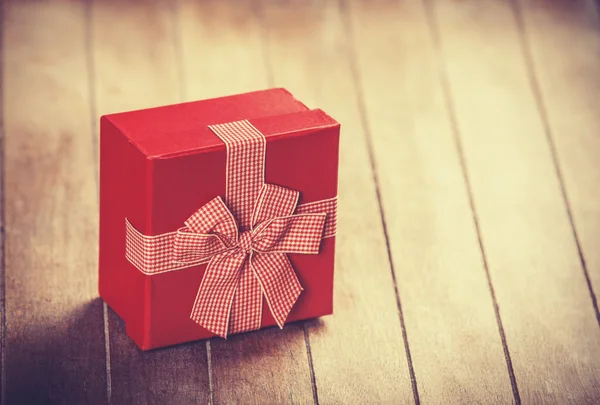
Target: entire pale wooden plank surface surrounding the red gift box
column 468, row 251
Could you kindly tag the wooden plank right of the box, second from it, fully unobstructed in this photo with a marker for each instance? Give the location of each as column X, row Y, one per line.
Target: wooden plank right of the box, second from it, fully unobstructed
column 452, row 330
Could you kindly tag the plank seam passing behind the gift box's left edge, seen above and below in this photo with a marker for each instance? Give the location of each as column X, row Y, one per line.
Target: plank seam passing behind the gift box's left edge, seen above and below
column 95, row 150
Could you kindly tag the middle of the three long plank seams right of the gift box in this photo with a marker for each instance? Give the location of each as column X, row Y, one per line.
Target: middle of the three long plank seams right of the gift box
column 445, row 84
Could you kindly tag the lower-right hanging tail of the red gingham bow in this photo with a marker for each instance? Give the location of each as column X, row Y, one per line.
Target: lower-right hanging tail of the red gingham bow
column 279, row 283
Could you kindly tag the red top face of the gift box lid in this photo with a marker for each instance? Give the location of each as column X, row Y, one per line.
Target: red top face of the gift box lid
column 185, row 125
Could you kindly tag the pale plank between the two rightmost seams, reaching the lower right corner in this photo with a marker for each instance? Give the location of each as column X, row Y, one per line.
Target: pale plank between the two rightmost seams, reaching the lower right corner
column 550, row 324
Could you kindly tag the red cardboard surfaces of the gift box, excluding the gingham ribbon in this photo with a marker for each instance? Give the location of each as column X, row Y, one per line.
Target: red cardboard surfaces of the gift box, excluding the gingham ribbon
column 158, row 166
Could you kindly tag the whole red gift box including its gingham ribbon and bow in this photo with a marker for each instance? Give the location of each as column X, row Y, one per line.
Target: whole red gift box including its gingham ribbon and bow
column 217, row 216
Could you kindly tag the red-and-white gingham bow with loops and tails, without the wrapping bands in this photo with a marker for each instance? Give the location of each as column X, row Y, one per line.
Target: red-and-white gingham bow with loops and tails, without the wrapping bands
column 247, row 263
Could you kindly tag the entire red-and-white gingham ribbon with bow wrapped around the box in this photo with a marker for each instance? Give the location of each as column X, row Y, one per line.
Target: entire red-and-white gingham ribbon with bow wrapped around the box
column 245, row 240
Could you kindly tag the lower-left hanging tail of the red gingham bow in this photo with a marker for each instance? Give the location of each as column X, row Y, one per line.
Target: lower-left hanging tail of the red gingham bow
column 212, row 307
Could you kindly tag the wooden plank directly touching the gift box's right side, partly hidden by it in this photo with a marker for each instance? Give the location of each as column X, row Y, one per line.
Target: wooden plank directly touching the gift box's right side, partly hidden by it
column 358, row 353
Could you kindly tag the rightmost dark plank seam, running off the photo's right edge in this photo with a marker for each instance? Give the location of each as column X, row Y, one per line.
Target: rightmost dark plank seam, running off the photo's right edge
column 541, row 107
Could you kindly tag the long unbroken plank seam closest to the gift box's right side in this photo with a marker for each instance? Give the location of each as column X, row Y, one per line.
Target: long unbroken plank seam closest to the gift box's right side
column 352, row 59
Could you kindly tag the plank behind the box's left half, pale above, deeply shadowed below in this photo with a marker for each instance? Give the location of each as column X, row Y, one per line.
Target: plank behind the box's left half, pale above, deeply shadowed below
column 135, row 65
